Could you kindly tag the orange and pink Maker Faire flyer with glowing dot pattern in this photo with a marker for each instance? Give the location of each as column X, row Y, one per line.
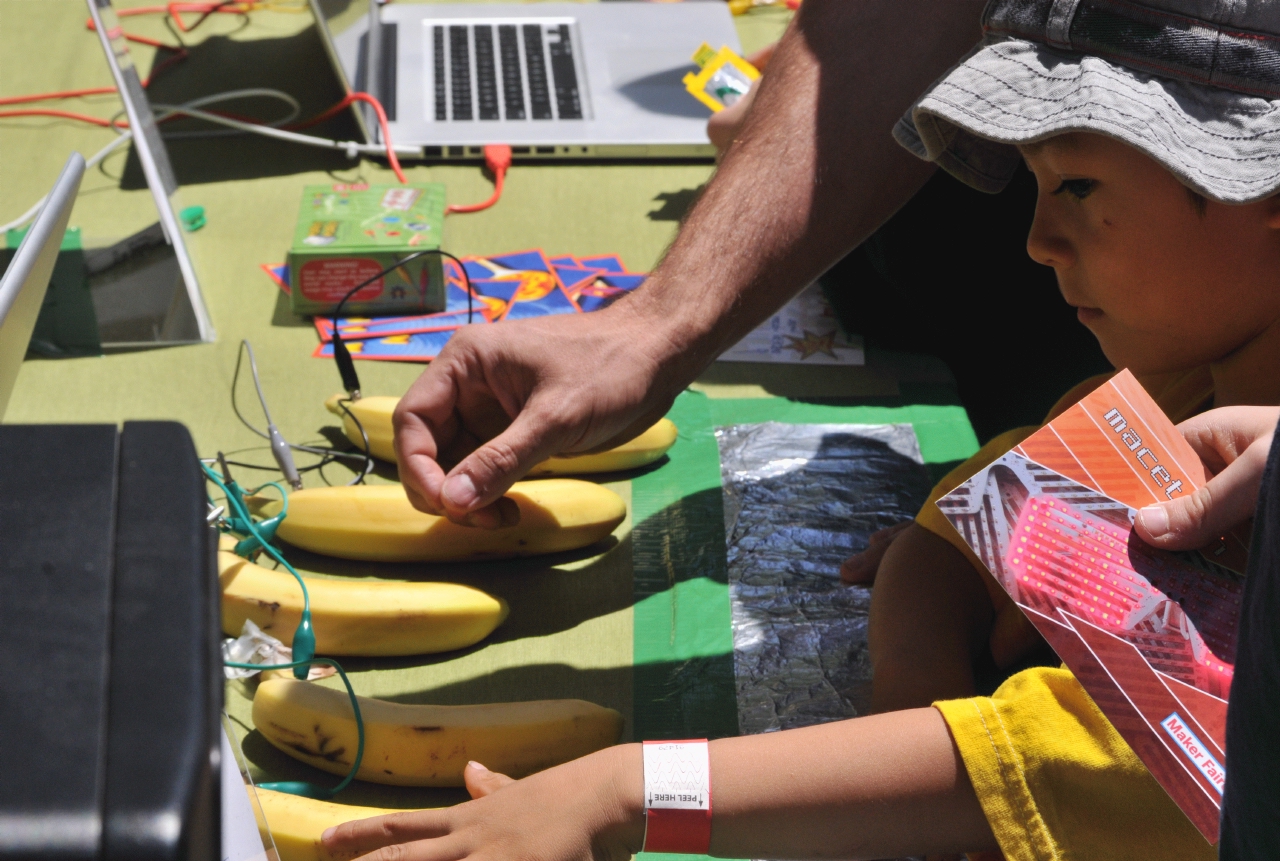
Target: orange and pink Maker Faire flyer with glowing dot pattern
column 1150, row 635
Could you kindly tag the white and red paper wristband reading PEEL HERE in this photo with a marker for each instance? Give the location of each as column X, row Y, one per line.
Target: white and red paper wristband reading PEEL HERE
column 678, row 798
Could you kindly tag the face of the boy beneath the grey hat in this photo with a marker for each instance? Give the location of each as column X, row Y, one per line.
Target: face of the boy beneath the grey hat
column 1163, row 286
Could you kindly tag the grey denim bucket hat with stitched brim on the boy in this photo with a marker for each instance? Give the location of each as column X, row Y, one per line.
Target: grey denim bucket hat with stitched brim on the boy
column 1194, row 84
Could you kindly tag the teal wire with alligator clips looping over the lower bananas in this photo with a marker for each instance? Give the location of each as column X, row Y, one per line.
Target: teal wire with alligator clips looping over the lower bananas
column 304, row 638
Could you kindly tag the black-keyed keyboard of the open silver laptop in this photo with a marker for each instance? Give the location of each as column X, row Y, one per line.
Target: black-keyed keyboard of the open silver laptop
column 497, row 71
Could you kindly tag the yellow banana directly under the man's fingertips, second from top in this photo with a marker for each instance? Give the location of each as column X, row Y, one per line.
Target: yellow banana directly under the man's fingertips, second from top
column 378, row 524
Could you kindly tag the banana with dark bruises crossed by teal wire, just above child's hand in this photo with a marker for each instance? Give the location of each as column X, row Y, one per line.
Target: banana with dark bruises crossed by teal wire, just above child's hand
column 428, row 745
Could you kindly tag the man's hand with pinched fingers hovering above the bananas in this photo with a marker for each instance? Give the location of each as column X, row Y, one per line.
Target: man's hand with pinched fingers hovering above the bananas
column 501, row 401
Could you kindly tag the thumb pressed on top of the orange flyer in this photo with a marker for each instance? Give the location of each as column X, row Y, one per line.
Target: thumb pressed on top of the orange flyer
column 1227, row 501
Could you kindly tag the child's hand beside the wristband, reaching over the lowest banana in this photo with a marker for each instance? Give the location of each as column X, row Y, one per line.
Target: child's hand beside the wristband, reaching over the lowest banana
column 589, row 809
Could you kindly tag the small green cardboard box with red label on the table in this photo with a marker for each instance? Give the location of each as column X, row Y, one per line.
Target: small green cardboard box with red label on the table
column 349, row 233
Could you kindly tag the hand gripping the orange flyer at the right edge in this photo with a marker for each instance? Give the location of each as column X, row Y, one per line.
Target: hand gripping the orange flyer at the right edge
column 1233, row 443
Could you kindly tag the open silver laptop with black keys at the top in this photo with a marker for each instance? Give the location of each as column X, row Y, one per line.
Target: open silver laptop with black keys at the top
column 552, row 80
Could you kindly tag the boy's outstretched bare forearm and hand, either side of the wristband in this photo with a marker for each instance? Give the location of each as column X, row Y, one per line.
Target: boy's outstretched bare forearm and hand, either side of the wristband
column 876, row 787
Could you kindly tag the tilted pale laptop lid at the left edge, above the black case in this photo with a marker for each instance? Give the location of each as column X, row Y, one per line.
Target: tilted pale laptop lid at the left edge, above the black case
column 22, row 288
